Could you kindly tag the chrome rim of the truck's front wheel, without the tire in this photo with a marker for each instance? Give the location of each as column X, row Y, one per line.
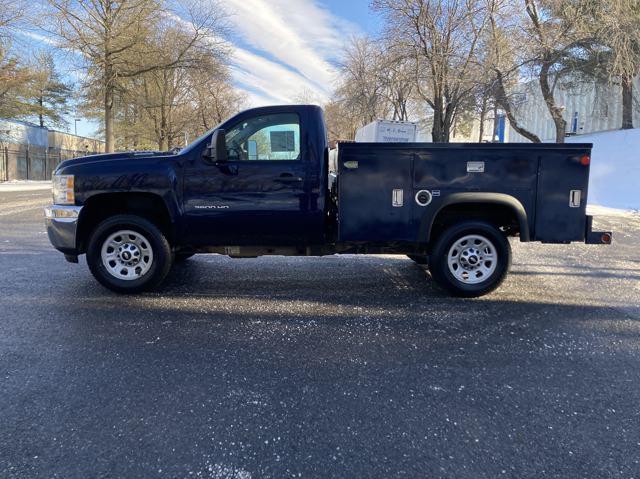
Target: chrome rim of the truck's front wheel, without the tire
column 127, row 255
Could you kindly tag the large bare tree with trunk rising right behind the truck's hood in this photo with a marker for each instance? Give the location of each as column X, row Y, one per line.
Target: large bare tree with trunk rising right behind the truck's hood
column 112, row 37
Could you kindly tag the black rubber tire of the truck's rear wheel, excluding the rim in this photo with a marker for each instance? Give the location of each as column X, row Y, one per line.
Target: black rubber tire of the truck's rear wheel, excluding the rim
column 442, row 273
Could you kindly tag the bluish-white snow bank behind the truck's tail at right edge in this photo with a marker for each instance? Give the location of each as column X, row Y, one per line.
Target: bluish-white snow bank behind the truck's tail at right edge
column 615, row 168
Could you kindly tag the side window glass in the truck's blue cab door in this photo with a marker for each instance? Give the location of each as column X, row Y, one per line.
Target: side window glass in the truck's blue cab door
column 268, row 137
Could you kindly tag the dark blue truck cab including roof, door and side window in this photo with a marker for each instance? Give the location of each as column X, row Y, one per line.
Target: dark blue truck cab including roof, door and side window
column 267, row 182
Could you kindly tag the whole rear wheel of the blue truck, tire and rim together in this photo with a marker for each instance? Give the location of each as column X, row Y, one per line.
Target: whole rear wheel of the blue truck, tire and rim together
column 470, row 259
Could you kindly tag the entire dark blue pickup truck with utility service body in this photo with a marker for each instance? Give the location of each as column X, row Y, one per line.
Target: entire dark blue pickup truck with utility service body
column 265, row 182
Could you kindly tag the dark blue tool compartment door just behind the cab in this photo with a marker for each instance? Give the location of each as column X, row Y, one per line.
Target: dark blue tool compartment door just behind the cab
column 375, row 193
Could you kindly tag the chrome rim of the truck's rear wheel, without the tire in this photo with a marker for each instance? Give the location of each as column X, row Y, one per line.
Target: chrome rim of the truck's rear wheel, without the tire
column 472, row 259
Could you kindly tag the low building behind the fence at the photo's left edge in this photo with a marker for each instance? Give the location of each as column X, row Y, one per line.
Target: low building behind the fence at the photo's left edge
column 30, row 152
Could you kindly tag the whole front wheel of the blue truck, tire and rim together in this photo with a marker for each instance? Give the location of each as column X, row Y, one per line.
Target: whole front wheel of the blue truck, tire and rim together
column 128, row 254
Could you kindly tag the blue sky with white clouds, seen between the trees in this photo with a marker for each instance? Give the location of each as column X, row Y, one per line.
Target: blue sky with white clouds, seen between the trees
column 284, row 50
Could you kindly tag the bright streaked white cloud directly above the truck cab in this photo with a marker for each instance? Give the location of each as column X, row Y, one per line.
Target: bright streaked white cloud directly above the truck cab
column 295, row 41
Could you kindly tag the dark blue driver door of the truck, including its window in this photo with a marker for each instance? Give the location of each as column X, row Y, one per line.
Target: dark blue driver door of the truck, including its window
column 258, row 196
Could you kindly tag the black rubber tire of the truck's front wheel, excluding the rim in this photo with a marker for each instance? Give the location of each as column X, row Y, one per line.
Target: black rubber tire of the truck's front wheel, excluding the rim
column 158, row 244
